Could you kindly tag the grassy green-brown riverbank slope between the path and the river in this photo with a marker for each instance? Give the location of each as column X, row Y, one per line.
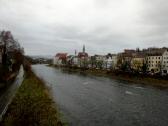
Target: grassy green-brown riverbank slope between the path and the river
column 32, row 105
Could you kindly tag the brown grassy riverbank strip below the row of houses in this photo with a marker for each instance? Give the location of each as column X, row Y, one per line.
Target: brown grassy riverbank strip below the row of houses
column 145, row 80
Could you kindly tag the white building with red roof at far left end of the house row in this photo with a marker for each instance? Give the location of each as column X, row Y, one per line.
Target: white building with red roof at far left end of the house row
column 60, row 59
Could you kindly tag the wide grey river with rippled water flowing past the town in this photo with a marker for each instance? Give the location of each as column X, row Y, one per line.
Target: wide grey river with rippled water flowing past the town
column 87, row 100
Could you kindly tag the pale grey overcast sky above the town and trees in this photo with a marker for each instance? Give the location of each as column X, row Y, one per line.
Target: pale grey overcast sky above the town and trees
column 45, row 27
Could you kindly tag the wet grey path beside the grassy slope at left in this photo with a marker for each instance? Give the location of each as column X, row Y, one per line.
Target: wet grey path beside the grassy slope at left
column 6, row 94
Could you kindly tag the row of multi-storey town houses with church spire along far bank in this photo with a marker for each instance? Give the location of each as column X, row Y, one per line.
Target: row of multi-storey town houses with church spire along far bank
column 151, row 60
